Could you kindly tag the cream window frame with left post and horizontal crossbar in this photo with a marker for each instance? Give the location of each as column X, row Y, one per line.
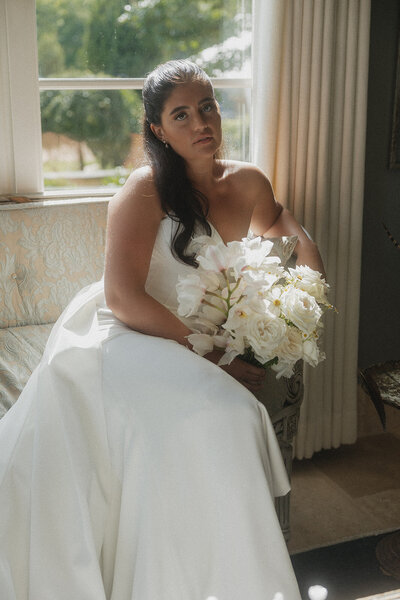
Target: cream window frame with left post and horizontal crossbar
column 21, row 171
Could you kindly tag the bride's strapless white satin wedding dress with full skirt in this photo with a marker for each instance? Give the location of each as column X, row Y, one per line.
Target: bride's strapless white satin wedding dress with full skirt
column 133, row 469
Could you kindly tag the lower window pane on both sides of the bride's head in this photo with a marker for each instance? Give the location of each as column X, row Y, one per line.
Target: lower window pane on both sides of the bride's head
column 93, row 138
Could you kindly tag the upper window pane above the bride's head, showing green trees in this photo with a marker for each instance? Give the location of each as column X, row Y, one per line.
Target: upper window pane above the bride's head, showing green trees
column 117, row 38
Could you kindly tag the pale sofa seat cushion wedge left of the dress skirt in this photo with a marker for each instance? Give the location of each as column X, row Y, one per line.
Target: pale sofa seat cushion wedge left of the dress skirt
column 20, row 351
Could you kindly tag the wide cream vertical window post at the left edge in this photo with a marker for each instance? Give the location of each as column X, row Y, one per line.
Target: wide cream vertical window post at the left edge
column 21, row 143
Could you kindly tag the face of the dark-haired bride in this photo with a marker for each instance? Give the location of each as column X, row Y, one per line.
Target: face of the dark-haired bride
column 191, row 121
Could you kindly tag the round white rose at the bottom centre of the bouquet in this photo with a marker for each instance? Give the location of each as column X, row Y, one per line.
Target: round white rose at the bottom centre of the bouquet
column 264, row 333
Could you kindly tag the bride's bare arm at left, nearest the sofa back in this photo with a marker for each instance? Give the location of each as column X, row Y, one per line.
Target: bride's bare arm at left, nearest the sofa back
column 133, row 220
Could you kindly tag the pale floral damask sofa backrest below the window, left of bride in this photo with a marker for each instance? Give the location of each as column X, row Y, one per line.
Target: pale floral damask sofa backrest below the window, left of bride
column 48, row 252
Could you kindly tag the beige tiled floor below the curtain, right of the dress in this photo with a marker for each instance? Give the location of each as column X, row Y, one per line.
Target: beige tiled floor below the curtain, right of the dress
column 351, row 492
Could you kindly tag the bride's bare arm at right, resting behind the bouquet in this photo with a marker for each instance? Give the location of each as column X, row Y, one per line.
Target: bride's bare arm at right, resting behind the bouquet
column 270, row 219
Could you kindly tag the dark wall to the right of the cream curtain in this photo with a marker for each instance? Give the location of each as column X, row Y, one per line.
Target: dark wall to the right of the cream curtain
column 379, row 337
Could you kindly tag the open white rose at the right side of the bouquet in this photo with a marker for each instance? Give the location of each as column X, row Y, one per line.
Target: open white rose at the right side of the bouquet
column 301, row 309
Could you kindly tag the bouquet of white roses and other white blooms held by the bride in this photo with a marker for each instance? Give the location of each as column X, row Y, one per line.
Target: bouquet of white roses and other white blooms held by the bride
column 243, row 301
